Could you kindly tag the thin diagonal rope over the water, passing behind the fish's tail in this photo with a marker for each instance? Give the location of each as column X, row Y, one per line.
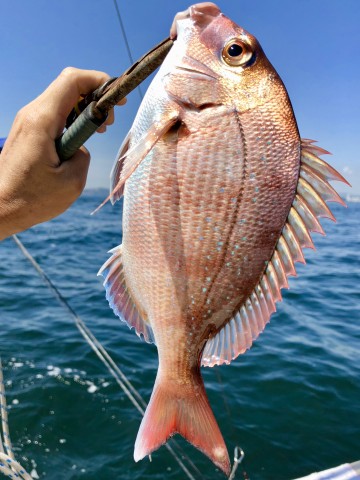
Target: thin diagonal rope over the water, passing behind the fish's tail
column 122, row 380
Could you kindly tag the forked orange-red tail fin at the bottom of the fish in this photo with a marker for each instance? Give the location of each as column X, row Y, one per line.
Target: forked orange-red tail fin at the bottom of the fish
column 186, row 411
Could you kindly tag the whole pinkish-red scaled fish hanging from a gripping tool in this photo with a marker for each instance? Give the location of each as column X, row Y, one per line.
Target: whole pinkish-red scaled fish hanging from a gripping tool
column 220, row 198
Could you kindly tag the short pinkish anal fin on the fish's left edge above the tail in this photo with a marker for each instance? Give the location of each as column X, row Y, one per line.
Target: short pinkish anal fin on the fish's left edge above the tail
column 119, row 296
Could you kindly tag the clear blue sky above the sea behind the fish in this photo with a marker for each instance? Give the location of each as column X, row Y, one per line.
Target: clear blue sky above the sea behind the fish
column 313, row 44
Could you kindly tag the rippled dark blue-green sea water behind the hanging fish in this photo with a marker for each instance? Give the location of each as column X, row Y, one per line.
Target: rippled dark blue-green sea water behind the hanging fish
column 291, row 402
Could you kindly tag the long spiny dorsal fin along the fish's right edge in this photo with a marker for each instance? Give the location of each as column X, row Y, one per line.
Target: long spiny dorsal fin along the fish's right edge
column 313, row 190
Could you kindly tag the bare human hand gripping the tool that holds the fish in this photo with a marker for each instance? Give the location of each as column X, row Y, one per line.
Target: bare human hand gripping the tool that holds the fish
column 34, row 186
